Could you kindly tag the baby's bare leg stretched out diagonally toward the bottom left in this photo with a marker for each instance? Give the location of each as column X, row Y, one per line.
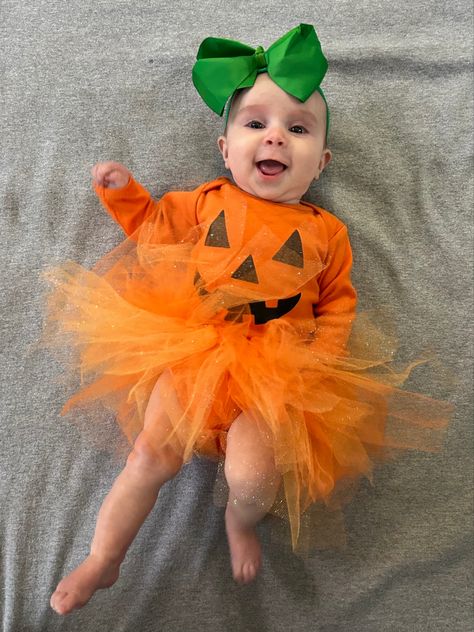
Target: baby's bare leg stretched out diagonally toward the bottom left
column 124, row 509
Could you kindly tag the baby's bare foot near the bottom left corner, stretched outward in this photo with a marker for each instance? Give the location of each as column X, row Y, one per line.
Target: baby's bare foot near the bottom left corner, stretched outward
column 75, row 590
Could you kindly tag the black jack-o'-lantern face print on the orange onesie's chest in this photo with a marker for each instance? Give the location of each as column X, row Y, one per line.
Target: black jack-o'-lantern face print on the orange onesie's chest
column 262, row 268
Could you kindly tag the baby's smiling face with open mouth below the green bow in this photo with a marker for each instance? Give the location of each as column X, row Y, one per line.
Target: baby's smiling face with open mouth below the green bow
column 275, row 145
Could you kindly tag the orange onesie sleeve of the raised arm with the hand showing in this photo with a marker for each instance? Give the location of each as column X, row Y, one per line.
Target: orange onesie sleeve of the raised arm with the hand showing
column 131, row 205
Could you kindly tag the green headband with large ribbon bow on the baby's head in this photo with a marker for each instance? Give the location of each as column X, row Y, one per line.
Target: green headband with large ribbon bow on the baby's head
column 295, row 63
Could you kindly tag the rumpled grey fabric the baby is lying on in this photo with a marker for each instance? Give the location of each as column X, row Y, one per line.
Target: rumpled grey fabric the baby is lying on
column 94, row 80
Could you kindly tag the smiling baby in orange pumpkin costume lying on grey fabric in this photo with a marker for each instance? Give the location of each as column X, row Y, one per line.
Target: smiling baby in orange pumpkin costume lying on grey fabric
column 240, row 347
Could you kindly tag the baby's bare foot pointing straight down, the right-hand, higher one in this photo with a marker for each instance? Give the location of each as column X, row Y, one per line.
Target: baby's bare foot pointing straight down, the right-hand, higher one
column 245, row 552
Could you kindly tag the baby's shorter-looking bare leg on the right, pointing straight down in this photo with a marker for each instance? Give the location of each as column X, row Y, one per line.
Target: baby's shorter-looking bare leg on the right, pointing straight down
column 253, row 482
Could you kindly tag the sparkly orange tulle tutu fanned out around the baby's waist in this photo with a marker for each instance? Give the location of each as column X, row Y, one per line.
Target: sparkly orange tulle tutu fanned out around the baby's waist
column 145, row 309
